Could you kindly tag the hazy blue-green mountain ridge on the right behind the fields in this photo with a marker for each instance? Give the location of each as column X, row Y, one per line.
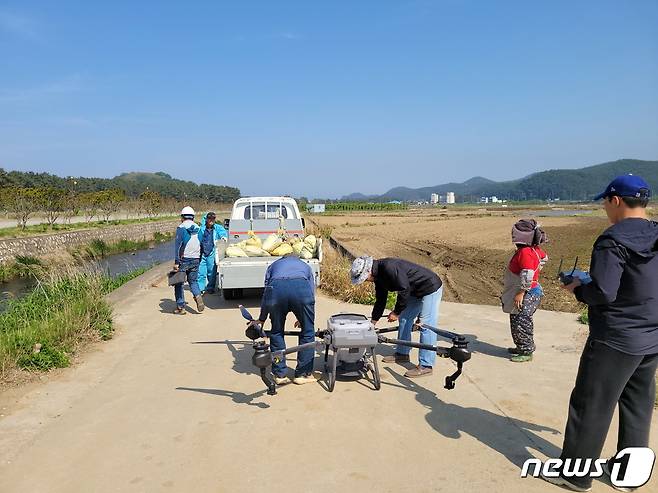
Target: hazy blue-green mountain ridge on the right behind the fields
column 565, row 184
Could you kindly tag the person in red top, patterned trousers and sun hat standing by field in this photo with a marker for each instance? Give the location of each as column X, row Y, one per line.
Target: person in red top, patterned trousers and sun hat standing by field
column 522, row 292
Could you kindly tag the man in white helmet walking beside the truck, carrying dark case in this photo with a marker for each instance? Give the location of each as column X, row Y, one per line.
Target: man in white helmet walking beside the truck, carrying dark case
column 187, row 251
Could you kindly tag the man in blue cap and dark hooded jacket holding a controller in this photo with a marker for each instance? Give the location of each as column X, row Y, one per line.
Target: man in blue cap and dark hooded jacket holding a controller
column 618, row 363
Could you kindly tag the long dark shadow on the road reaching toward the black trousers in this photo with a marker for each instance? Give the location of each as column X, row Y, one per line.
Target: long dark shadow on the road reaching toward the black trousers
column 493, row 430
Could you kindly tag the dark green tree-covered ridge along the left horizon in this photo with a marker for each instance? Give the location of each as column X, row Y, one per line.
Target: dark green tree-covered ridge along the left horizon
column 131, row 183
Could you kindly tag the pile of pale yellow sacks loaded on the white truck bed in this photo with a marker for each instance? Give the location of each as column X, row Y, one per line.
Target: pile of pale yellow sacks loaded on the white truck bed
column 275, row 245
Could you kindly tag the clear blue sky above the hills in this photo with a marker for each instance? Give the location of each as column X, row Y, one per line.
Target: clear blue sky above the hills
column 324, row 98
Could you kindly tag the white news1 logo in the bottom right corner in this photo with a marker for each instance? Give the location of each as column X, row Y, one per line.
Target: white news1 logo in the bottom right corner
column 629, row 468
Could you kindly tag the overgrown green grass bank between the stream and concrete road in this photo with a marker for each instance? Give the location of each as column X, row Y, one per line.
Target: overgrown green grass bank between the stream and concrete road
column 41, row 330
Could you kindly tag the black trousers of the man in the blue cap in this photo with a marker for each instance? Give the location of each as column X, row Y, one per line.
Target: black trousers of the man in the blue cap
column 607, row 377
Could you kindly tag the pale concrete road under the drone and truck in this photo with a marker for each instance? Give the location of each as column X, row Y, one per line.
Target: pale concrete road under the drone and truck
column 172, row 404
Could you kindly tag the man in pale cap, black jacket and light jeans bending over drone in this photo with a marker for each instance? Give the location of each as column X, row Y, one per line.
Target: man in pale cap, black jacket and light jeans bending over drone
column 419, row 292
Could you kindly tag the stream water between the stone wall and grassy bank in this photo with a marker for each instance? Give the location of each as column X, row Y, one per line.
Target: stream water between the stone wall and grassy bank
column 112, row 265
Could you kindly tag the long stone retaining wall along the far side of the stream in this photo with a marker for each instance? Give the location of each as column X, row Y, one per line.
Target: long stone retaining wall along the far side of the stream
column 45, row 244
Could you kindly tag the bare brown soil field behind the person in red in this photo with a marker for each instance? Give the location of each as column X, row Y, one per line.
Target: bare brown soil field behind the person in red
column 468, row 249
